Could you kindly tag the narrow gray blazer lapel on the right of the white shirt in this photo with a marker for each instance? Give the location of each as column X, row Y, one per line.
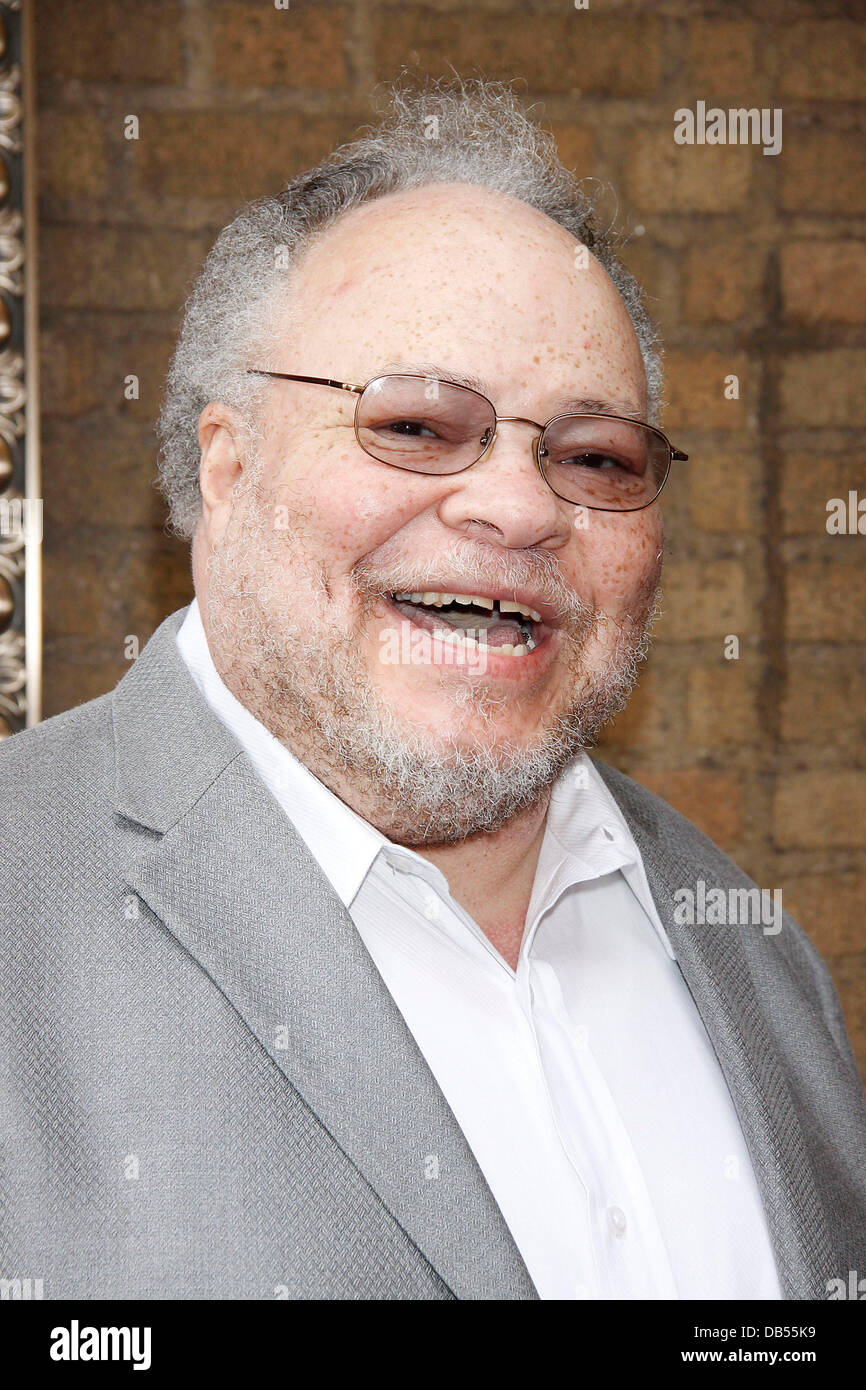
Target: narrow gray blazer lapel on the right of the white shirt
column 717, row 972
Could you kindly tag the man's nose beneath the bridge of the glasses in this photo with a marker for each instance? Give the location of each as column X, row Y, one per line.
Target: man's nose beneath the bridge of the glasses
column 507, row 496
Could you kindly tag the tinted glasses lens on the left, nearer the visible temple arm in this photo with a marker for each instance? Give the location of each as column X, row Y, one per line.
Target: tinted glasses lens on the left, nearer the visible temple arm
column 423, row 425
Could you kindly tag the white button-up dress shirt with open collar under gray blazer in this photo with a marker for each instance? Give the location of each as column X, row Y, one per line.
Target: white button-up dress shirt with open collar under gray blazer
column 585, row 1082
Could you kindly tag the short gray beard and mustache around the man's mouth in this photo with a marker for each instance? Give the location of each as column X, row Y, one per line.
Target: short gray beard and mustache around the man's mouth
column 307, row 682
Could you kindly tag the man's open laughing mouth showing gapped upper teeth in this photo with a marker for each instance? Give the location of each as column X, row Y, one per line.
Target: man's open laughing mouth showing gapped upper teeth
column 489, row 625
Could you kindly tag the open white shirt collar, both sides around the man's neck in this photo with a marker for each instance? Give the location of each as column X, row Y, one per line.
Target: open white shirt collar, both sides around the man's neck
column 586, row 833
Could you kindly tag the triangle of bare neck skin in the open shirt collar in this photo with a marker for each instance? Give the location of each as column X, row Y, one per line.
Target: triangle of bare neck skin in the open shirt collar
column 491, row 876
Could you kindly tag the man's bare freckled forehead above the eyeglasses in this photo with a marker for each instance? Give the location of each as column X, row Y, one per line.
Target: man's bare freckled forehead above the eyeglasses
column 465, row 277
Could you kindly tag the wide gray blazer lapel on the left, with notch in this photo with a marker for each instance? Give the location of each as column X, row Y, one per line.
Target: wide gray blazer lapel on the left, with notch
column 240, row 890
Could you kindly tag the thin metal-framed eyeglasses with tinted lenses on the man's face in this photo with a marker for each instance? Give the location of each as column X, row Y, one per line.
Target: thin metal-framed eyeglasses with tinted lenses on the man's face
column 422, row 425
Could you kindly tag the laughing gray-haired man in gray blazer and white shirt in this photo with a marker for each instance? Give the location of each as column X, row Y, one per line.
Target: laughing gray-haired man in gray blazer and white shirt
column 334, row 967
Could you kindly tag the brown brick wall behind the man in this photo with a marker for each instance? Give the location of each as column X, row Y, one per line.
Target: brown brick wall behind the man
column 757, row 268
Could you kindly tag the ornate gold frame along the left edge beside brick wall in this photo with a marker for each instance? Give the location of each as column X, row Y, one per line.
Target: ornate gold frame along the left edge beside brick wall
column 20, row 468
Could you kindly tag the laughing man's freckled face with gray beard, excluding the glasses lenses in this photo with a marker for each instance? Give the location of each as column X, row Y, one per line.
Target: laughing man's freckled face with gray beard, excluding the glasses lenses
column 308, row 548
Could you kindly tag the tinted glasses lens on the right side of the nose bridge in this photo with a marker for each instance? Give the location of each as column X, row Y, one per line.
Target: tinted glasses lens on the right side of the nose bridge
column 612, row 465
